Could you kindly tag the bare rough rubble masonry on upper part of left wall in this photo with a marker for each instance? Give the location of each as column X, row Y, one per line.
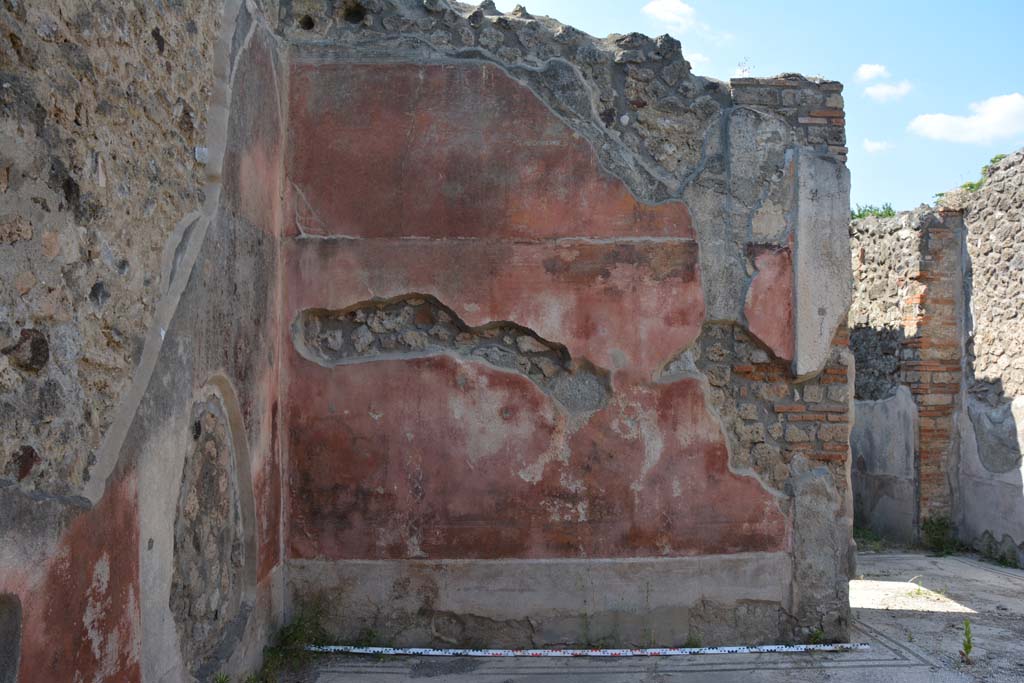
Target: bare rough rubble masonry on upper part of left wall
column 103, row 119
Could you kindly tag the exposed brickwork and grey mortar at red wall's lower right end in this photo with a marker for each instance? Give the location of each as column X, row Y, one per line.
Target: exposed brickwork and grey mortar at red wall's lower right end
column 794, row 439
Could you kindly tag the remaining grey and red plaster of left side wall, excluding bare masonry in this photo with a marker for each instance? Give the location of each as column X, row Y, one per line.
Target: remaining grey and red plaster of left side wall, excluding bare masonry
column 93, row 560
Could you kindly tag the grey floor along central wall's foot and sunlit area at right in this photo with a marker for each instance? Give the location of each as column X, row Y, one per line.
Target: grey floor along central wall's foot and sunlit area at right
column 911, row 608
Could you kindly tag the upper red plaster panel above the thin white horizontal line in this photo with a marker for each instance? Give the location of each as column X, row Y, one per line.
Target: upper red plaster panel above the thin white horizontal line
column 391, row 151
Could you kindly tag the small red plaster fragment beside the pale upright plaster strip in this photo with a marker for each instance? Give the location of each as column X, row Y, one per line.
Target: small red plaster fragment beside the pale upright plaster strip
column 770, row 301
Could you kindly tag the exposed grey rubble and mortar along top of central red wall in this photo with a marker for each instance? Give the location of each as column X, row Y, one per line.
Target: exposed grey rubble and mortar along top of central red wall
column 730, row 151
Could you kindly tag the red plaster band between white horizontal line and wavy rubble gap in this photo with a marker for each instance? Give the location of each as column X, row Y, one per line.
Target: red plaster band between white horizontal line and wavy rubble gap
column 627, row 306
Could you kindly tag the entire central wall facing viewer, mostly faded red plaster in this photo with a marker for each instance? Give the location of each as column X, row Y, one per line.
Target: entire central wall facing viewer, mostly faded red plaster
column 517, row 336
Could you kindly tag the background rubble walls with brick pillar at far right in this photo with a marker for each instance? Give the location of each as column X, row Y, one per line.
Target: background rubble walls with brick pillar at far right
column 938, row 293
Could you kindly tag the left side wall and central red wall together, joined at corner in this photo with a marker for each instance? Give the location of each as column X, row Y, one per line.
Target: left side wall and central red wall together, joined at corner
column 473, row 306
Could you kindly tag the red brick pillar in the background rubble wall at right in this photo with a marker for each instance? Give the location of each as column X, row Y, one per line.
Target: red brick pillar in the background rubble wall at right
column 931, row 358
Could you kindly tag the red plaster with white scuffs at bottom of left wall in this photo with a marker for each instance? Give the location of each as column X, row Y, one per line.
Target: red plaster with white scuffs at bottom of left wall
column 82, row 622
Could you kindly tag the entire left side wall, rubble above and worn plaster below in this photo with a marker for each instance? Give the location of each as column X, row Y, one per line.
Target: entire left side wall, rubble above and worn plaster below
column 138, row 283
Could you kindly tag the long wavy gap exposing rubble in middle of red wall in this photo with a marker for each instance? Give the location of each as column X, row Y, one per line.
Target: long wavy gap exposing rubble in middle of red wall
column 419, row 326
